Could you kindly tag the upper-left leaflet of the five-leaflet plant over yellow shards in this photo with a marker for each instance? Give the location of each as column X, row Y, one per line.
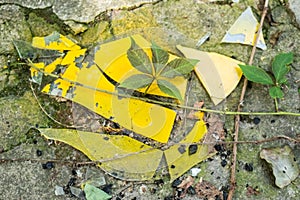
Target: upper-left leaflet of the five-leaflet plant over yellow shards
column 138, row 58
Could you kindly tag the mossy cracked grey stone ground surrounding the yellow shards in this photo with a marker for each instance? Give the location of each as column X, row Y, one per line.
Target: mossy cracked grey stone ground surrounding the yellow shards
column 168, row 23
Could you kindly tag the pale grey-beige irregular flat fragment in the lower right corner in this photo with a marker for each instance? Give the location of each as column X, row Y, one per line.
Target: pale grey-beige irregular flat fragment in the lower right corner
column 284, row 165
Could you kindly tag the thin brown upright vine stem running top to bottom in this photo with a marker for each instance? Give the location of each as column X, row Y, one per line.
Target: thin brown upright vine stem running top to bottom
column 239, row 108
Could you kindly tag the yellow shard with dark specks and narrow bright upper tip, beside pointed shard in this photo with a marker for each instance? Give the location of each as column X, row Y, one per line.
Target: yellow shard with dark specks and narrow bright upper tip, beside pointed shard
column 179, row 158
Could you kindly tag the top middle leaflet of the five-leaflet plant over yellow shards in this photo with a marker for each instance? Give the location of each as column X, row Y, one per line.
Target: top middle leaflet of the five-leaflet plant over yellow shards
column 159, row 57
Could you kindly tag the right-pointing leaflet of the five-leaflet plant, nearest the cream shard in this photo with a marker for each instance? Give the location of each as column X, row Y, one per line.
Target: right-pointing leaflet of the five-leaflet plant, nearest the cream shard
column 179, row 67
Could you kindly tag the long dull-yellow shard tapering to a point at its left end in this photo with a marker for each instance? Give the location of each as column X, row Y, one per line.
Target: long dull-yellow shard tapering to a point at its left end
column 120, row 156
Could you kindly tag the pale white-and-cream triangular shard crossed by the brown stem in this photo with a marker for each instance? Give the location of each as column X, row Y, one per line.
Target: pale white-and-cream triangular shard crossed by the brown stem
column 244, row 31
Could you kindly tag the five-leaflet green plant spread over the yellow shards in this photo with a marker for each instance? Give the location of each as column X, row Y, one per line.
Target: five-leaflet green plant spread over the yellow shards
column 156, row 69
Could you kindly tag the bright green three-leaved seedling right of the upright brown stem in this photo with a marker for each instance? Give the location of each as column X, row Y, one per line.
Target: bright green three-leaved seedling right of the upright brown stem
column 280, row 68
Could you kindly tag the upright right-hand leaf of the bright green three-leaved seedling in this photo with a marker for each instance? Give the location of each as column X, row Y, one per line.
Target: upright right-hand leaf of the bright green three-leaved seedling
column 279, row 65
